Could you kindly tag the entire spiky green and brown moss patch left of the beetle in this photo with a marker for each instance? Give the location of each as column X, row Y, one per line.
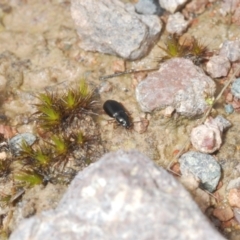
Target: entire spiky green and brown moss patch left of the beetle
column 64, row 142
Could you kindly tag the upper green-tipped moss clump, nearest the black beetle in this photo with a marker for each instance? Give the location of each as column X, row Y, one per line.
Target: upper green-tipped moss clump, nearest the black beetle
column 55, row 110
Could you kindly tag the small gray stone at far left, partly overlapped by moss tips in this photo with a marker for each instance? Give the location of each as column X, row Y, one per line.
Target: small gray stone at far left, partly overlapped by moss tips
column 15, row 143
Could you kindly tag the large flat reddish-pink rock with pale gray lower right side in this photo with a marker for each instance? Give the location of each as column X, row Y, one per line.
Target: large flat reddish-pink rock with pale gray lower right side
column 178, row 83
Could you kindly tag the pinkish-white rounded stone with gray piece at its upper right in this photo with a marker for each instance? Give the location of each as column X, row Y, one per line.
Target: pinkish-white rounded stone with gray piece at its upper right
column 207, row 138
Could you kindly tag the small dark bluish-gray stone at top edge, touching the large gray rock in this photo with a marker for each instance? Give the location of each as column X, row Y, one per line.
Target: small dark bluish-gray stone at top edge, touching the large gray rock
column 148, row 7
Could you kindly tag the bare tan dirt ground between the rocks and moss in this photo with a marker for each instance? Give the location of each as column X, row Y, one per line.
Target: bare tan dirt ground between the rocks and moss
column 39, row 50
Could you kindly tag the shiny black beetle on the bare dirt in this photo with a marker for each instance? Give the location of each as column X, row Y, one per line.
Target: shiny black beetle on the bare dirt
column 116, row 110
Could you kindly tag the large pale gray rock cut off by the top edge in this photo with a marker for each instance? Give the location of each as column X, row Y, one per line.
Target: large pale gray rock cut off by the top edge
column 110, row 26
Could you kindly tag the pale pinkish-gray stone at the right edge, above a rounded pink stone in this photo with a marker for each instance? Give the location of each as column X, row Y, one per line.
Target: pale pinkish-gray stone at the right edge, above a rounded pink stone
column 231, row 50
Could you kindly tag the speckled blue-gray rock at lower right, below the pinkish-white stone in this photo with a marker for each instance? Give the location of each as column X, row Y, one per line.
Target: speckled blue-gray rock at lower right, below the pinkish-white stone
column 203, row 166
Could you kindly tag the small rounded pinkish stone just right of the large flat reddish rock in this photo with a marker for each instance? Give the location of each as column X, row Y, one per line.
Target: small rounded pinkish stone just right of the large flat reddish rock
column 218, row 66
